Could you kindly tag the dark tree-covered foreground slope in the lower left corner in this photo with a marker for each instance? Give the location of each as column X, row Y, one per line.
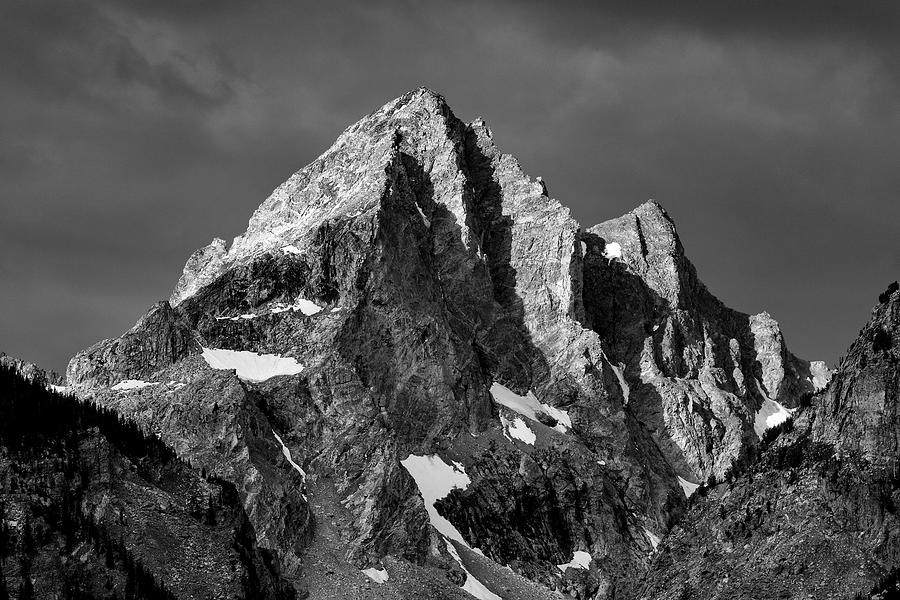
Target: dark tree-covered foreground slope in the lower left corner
column 90, row 507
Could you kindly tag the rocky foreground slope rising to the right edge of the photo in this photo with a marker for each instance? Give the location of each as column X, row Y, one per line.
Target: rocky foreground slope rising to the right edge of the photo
column 816, row 514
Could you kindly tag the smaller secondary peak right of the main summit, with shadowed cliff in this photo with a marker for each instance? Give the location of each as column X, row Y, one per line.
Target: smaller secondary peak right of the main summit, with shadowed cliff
column 697, row 371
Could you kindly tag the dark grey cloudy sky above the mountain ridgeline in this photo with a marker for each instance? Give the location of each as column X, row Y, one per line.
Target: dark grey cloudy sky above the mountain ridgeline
column 131, row 133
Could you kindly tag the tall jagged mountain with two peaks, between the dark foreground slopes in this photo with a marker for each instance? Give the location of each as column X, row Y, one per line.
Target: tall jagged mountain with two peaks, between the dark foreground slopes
column 418, row 373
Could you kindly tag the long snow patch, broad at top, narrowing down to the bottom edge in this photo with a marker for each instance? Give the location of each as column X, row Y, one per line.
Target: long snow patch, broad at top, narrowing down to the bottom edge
column 435, row 479
